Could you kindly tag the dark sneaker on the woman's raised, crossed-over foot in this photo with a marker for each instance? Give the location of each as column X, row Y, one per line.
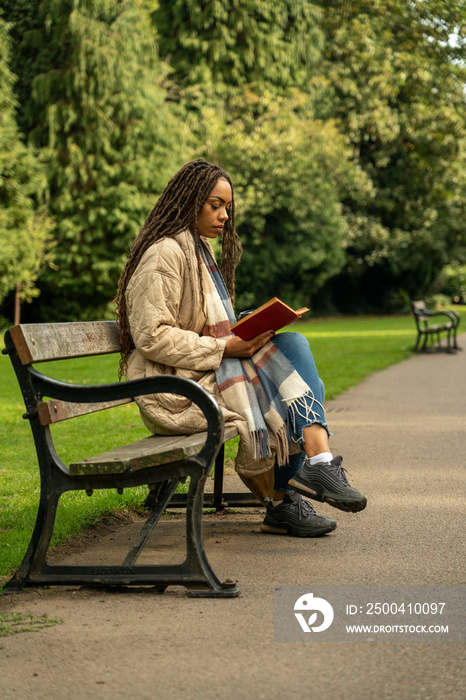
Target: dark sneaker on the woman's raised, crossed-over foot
column 327, row 482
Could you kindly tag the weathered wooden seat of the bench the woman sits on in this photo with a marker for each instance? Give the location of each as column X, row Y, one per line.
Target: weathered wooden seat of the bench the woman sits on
column 148, row 452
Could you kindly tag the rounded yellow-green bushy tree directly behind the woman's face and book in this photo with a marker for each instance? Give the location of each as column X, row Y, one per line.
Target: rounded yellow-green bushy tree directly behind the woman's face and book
column 289, row 173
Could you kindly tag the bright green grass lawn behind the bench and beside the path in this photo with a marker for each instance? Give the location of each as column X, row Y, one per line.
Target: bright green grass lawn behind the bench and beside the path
column 346, row 351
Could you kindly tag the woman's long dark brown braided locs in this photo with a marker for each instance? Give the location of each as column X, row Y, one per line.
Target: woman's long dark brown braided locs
column 176, row 210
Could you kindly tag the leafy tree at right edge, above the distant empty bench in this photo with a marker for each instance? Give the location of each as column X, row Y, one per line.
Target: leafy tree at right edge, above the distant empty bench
column 397, row 70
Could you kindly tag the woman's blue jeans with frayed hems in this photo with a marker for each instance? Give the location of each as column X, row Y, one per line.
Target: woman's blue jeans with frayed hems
column 296, row 349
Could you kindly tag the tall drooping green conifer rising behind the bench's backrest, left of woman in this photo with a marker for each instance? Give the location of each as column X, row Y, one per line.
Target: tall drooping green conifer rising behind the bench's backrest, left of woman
column 97, row 111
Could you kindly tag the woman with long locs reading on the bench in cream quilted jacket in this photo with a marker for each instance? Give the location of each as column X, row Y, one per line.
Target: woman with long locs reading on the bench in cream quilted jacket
column 175, row 311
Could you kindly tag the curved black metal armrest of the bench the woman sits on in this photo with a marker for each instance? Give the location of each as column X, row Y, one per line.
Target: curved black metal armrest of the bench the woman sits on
column 79, row 393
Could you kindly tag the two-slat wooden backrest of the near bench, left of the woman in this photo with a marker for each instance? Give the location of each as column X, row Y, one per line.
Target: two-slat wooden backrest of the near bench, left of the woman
column 43, row 342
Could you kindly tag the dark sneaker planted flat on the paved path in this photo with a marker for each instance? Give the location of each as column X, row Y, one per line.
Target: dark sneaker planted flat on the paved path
column 295, row 516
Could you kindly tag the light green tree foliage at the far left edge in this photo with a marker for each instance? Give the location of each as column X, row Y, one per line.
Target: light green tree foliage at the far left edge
column 24, row 227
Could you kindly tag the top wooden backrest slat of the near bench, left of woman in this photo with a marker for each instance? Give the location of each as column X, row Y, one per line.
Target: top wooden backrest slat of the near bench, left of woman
column 39, row 342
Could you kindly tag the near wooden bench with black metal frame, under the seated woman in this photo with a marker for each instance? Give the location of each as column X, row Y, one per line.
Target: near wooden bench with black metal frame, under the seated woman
column 159, row 462
